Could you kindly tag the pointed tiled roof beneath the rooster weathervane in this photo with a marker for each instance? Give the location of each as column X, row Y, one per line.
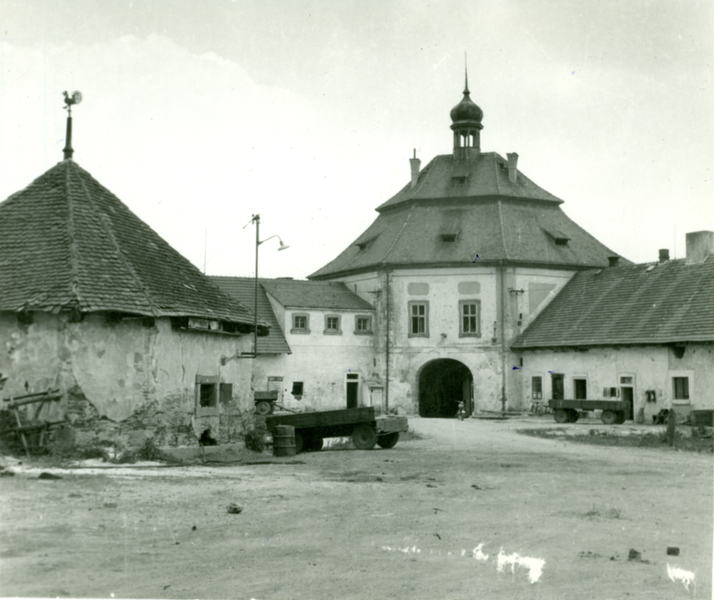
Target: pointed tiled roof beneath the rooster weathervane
column 66, row 242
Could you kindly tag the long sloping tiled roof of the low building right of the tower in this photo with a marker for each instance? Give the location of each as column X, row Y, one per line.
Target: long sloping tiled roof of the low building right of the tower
column 641, row 304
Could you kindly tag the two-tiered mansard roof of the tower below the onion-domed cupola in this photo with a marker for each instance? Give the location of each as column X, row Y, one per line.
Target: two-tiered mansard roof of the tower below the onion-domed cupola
column 461, row 214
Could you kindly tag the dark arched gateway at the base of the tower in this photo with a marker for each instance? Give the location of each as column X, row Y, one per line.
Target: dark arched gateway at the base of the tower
column 443, row 383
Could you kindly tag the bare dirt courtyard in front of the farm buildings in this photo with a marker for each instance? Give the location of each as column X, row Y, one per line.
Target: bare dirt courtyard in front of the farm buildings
column 426, row 519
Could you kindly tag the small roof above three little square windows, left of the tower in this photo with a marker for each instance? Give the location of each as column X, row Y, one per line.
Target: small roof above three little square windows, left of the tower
column 314, row 294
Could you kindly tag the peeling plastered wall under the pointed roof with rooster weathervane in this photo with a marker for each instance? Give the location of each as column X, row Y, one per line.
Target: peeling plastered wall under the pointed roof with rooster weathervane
column 136, row 377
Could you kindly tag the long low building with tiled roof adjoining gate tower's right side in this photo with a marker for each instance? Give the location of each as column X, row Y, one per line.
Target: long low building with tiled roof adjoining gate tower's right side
column 640, row 333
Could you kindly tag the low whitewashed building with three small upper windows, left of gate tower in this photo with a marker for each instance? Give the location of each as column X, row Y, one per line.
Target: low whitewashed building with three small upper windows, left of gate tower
column 320, row 349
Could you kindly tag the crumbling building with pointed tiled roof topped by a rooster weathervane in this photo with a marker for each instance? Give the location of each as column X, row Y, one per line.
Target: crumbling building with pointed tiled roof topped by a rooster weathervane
column 96, row 304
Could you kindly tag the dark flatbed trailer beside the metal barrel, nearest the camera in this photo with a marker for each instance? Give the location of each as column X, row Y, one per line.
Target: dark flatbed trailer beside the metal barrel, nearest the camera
column 360, row 424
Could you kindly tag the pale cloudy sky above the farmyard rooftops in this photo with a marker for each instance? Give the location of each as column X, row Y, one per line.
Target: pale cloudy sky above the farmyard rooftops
column 198, row 114
